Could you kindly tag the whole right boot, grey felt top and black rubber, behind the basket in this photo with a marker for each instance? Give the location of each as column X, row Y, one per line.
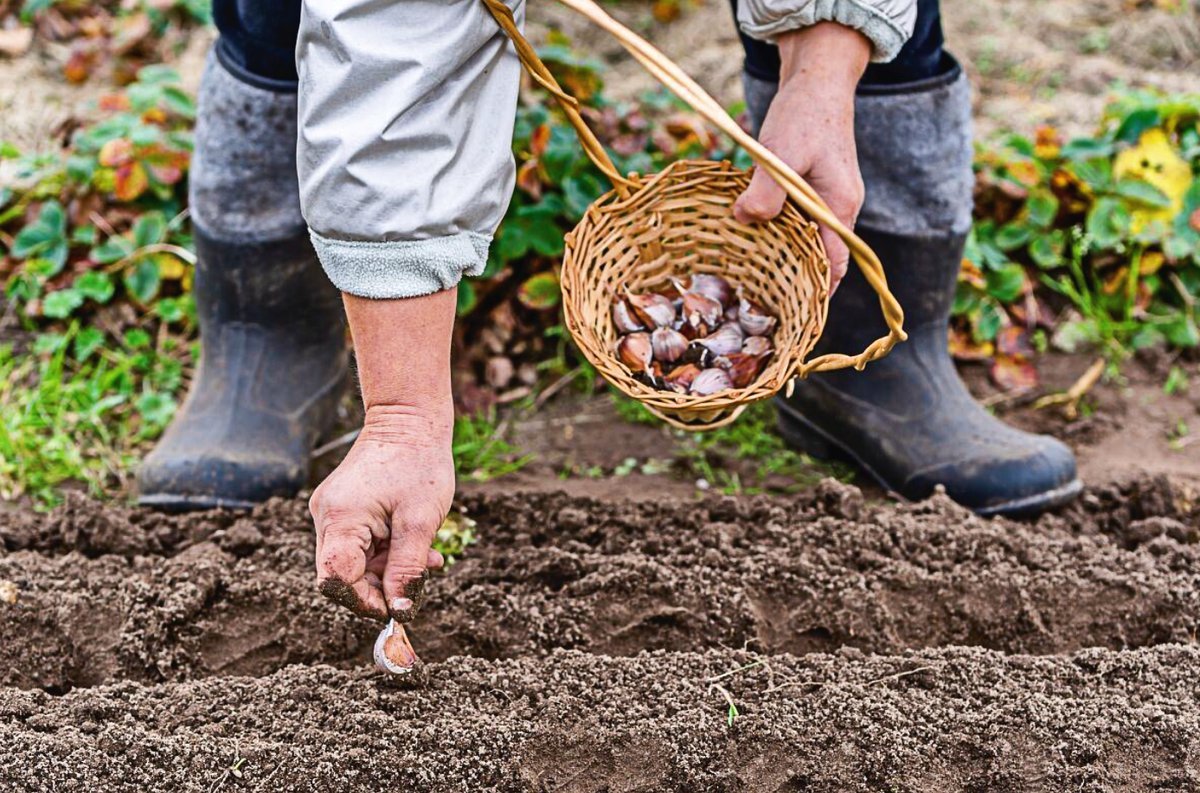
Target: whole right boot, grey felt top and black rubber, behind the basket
column 908, row 419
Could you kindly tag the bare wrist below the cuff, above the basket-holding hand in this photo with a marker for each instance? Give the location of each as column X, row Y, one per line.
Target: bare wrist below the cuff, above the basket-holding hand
column 827, row 57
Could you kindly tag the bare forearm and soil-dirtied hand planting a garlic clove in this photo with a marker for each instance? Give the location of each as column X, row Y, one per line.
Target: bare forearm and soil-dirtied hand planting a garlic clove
column 379, row 512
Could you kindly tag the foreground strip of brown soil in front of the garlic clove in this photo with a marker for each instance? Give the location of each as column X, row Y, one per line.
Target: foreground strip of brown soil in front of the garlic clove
column 935, row 720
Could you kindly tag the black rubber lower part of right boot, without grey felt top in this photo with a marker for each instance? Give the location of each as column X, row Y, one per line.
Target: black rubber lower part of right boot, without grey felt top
column 908, row 419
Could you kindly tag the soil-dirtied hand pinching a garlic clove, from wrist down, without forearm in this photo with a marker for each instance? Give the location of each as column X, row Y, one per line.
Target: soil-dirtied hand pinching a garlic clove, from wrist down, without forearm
column 379, row 512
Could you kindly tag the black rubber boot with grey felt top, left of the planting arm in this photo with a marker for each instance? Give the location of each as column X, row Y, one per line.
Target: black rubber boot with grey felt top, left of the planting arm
column 273, row 359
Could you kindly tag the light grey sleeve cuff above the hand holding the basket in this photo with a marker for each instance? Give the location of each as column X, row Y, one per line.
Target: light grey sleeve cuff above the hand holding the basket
column 886, row 23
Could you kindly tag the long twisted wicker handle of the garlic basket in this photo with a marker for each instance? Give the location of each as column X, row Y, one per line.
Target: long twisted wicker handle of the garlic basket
column 687, row 89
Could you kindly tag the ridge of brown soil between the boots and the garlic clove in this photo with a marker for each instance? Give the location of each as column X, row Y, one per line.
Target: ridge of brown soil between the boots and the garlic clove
column 775, row 576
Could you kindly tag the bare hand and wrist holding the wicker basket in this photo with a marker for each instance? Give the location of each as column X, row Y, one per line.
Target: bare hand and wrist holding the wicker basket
column 811, row 125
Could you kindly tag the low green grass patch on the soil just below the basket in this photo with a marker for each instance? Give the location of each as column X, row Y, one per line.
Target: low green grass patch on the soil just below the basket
column 739, row 459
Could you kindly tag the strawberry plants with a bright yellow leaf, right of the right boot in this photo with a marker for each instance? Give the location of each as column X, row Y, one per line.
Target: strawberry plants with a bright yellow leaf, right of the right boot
column 1094, row 242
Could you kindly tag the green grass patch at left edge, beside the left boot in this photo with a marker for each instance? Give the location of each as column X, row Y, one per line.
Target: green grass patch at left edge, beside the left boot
column 81, row 408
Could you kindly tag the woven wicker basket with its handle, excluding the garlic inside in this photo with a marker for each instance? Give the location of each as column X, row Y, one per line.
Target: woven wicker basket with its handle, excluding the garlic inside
column 681, row 221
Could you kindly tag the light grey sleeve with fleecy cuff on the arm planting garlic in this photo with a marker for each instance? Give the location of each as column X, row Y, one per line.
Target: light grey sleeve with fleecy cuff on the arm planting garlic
column 405, row 148
